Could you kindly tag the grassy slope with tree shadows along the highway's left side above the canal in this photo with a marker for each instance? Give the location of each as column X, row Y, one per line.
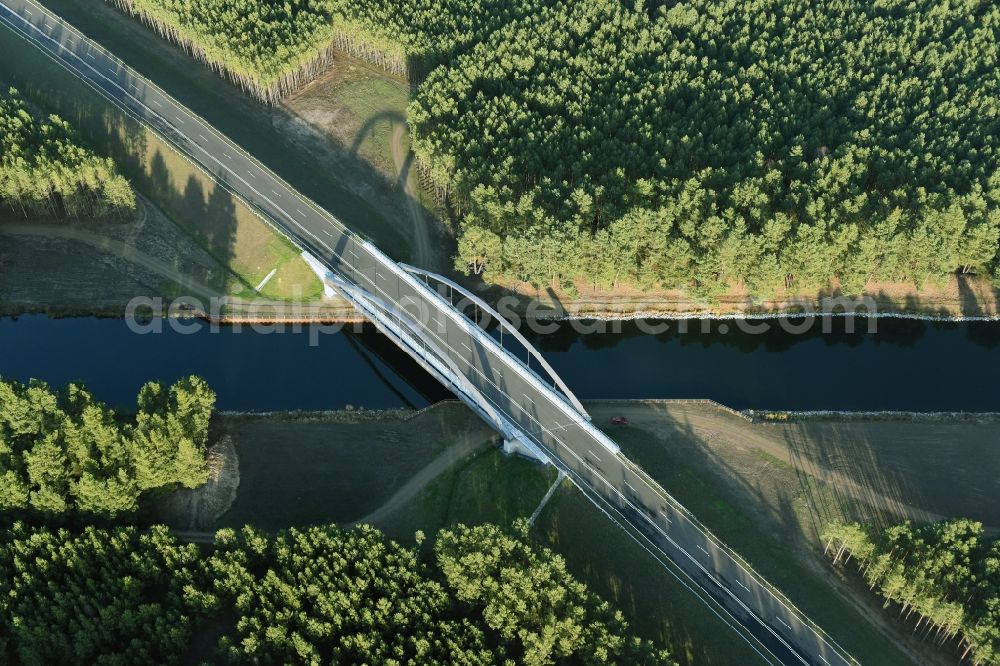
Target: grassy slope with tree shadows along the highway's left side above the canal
column 243, row 248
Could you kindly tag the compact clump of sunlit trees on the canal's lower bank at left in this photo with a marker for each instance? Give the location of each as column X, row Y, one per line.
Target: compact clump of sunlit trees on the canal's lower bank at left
column 63, row 454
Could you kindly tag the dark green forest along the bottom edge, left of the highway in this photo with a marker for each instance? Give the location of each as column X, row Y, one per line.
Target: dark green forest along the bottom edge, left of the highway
column 319, row 595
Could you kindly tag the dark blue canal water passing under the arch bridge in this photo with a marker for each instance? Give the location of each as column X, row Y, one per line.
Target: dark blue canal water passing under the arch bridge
column 911, row 365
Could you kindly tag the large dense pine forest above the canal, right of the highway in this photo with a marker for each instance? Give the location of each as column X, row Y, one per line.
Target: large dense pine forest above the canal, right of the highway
column 695, row 145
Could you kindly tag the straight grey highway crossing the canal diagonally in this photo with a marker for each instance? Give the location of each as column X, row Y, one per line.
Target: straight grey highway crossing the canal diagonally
column 426, row 325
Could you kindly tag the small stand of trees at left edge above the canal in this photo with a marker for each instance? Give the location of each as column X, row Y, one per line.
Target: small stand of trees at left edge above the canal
column 45, row 170
